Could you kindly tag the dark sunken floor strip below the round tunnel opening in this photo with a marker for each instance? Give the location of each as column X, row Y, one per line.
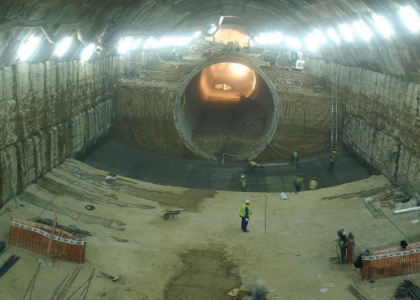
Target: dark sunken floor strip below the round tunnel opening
column 151, row 167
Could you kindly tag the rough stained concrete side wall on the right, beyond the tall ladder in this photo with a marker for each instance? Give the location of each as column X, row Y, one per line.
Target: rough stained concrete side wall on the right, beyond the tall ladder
column 381, row 118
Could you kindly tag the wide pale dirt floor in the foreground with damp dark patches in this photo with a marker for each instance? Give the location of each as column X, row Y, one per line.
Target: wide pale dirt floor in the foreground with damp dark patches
column 203, row 254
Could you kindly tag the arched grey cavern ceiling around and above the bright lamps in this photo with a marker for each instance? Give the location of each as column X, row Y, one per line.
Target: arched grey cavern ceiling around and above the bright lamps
column 99, row 21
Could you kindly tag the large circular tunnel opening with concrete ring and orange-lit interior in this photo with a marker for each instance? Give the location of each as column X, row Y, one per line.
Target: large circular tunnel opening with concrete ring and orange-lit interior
column 227, row 105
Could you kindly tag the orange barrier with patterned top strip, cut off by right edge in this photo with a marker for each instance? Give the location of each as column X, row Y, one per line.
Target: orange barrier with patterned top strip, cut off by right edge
column 392, row 262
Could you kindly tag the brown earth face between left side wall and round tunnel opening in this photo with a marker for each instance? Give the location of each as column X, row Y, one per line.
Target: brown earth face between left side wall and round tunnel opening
column 144, row 117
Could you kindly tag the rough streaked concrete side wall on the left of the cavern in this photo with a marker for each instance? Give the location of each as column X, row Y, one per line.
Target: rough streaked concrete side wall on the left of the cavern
column 48, row 112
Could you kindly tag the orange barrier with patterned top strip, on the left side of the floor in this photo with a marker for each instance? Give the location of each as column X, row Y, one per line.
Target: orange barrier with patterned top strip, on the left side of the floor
column 36, row 237
